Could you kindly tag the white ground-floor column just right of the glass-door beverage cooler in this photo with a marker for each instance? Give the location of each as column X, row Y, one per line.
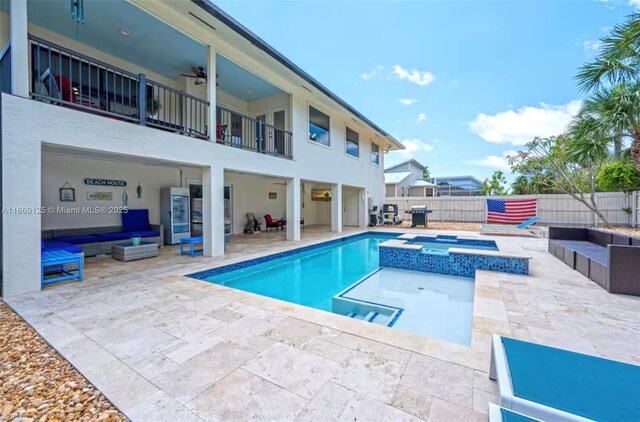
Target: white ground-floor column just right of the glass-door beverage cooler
column 213, row 210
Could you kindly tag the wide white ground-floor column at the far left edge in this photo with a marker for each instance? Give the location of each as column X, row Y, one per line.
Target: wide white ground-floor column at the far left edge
column 21, row 222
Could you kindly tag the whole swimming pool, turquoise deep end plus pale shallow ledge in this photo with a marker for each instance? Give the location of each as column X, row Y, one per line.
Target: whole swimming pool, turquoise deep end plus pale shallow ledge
column 344, row 276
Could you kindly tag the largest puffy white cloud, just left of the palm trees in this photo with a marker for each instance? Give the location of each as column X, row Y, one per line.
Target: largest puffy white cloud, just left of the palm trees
column 521, row 126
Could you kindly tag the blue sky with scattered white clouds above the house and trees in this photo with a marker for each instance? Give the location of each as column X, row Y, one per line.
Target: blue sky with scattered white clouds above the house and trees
column 462, row 84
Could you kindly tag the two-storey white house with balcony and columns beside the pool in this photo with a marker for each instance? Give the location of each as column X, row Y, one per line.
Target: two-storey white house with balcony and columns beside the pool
column 167, row 94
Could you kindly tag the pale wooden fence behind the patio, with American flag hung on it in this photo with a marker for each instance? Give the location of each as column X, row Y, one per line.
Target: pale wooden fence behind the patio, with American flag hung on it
column 552, row 209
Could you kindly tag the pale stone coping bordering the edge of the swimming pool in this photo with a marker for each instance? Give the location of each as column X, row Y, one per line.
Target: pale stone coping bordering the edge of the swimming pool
column 484, row 323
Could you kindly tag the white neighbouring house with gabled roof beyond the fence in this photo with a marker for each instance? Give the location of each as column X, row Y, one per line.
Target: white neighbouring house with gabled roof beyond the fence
column 406, row 179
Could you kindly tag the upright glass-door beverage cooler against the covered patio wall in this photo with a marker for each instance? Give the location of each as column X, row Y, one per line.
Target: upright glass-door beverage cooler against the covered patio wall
column 174, row 214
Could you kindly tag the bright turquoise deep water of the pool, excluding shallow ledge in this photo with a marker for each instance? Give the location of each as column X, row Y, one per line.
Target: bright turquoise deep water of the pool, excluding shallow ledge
column 309, row 278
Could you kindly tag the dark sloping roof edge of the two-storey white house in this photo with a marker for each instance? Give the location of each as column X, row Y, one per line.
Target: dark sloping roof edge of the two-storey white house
column 243, row 31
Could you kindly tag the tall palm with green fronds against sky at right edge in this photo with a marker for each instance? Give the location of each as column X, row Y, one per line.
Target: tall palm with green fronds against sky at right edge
column 613, row 78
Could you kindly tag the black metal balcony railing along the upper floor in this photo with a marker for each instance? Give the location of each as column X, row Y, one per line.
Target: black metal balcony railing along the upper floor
column 69, row 79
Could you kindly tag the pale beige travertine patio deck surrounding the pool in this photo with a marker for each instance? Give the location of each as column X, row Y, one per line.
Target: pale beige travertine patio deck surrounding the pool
column 165, row 347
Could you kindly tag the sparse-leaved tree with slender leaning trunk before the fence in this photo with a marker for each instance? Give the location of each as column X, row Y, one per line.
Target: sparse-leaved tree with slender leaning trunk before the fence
column 573, row 166
